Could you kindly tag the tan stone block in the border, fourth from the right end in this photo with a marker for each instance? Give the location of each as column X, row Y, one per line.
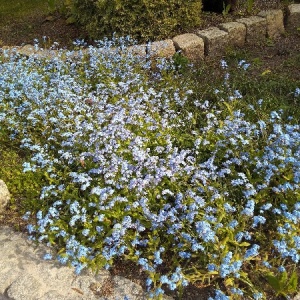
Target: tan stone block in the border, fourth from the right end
column 236, row 33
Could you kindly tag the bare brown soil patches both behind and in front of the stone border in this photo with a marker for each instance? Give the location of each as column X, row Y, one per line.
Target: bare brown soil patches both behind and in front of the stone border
column 54, row 28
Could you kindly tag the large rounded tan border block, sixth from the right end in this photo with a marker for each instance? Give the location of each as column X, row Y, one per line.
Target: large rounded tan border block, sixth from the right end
column 191, row 46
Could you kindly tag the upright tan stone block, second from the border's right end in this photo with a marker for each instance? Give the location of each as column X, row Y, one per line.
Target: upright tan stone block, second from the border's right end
column 275, row 25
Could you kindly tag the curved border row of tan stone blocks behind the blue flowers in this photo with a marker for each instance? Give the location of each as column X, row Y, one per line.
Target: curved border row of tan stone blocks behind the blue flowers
column 213, row 40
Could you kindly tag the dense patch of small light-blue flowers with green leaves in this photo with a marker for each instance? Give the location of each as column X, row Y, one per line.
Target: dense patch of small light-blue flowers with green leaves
column 130, row 159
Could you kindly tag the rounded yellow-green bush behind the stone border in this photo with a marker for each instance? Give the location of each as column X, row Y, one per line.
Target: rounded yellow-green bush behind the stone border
column 141, row 19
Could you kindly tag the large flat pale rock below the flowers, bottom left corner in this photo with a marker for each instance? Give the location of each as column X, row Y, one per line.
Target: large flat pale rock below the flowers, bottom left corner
column 30, row 277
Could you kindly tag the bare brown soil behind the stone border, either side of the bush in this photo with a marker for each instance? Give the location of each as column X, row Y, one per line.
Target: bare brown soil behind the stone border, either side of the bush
column 24, row 30
